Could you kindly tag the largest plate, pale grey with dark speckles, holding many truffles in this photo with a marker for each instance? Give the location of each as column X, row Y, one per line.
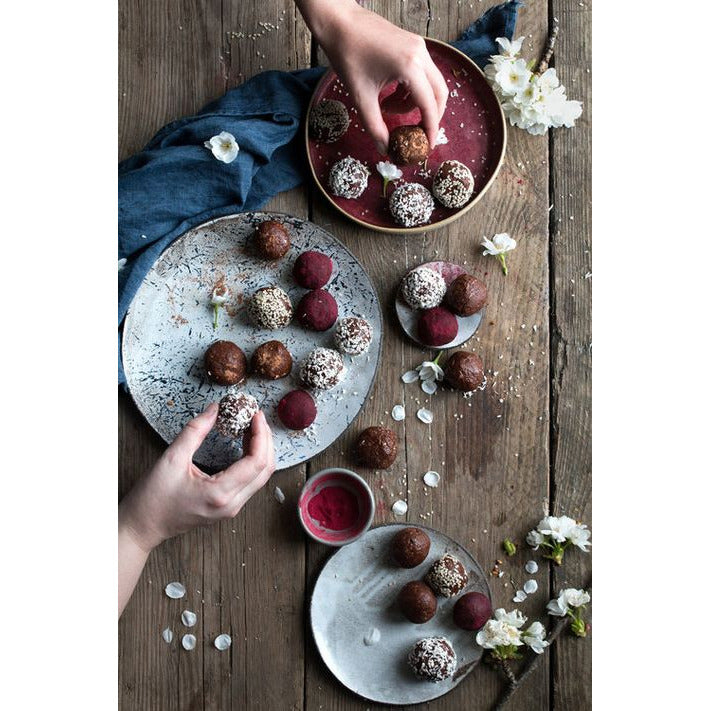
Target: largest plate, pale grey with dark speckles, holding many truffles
column 169, row 327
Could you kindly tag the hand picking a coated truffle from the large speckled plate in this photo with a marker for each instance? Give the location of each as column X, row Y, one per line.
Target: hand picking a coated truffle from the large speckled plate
column 176, row 496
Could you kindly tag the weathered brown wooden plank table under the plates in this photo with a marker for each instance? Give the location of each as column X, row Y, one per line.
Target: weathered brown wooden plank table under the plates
column 519, row 450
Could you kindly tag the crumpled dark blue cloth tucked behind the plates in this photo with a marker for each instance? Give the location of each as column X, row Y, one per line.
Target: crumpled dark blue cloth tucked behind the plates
column 175, row 183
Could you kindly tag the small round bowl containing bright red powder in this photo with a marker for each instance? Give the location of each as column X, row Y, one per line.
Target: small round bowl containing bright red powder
column 353, row 483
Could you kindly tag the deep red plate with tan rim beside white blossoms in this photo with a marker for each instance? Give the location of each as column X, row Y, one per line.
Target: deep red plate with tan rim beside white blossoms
column 473, row 123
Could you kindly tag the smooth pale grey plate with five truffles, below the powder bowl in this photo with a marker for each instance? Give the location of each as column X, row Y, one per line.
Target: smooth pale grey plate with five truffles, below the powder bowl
column 357, row 591
